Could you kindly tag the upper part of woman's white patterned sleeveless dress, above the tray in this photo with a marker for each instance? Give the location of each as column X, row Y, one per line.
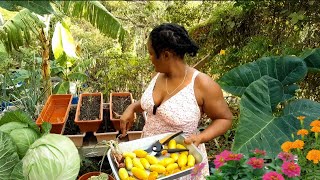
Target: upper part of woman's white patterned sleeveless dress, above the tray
column 179, row 112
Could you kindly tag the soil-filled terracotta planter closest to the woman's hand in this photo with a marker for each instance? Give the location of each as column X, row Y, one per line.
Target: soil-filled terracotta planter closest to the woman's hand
column 119, row 101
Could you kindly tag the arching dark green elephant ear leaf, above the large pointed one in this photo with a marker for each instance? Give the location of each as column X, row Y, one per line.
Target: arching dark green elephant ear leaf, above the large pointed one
column 287, row 69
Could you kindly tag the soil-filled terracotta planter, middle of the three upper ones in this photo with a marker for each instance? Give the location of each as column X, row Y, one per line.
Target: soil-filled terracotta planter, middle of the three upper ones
column 89, row 112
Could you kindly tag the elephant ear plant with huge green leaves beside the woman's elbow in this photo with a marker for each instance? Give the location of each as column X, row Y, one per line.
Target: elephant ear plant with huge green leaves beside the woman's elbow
column 262, row 85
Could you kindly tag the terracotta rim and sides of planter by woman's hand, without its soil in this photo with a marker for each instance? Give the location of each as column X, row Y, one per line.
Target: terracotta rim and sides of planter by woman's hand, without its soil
column 116, row 120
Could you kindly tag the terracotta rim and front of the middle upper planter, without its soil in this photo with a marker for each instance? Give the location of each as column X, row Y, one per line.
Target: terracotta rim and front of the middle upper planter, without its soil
column 93, row 124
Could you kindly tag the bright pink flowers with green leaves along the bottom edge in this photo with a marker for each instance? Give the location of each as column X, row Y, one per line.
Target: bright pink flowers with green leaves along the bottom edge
column 229, row 165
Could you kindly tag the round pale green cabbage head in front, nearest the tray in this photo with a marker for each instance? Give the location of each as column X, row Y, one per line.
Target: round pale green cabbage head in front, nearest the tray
column 51, row 157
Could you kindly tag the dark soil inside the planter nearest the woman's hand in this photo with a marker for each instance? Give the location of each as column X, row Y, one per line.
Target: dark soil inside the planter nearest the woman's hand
column 120, row 104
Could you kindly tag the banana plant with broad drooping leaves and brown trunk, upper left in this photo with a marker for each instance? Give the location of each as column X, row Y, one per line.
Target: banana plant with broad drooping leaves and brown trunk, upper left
column 34, row 19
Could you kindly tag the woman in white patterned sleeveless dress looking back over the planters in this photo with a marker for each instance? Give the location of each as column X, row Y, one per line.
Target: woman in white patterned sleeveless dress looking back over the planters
column 178, row 94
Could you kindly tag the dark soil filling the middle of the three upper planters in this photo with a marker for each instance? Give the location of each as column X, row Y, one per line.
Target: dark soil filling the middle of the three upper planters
column 90, row 108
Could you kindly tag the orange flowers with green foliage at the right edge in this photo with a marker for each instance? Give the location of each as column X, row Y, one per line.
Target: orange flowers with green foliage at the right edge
column 307, row 148
